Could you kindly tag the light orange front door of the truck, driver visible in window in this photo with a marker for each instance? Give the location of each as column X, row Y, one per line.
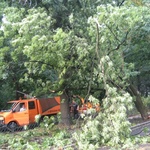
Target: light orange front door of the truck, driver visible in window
column 20, row 114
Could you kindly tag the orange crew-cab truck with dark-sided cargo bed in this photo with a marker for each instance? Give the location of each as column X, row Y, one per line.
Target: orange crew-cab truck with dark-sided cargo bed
column 22, row 112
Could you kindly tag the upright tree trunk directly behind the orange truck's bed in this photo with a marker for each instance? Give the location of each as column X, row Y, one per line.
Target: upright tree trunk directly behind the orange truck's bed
column 65, row 115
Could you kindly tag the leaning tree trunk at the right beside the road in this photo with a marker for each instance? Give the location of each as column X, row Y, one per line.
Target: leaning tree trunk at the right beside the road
column 138, row 102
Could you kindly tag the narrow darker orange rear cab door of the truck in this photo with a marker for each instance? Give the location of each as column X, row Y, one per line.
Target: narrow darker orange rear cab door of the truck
column 33, row 111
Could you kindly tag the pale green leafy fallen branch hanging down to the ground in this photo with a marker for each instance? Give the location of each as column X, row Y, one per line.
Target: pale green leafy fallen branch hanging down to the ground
column 110, row 127
